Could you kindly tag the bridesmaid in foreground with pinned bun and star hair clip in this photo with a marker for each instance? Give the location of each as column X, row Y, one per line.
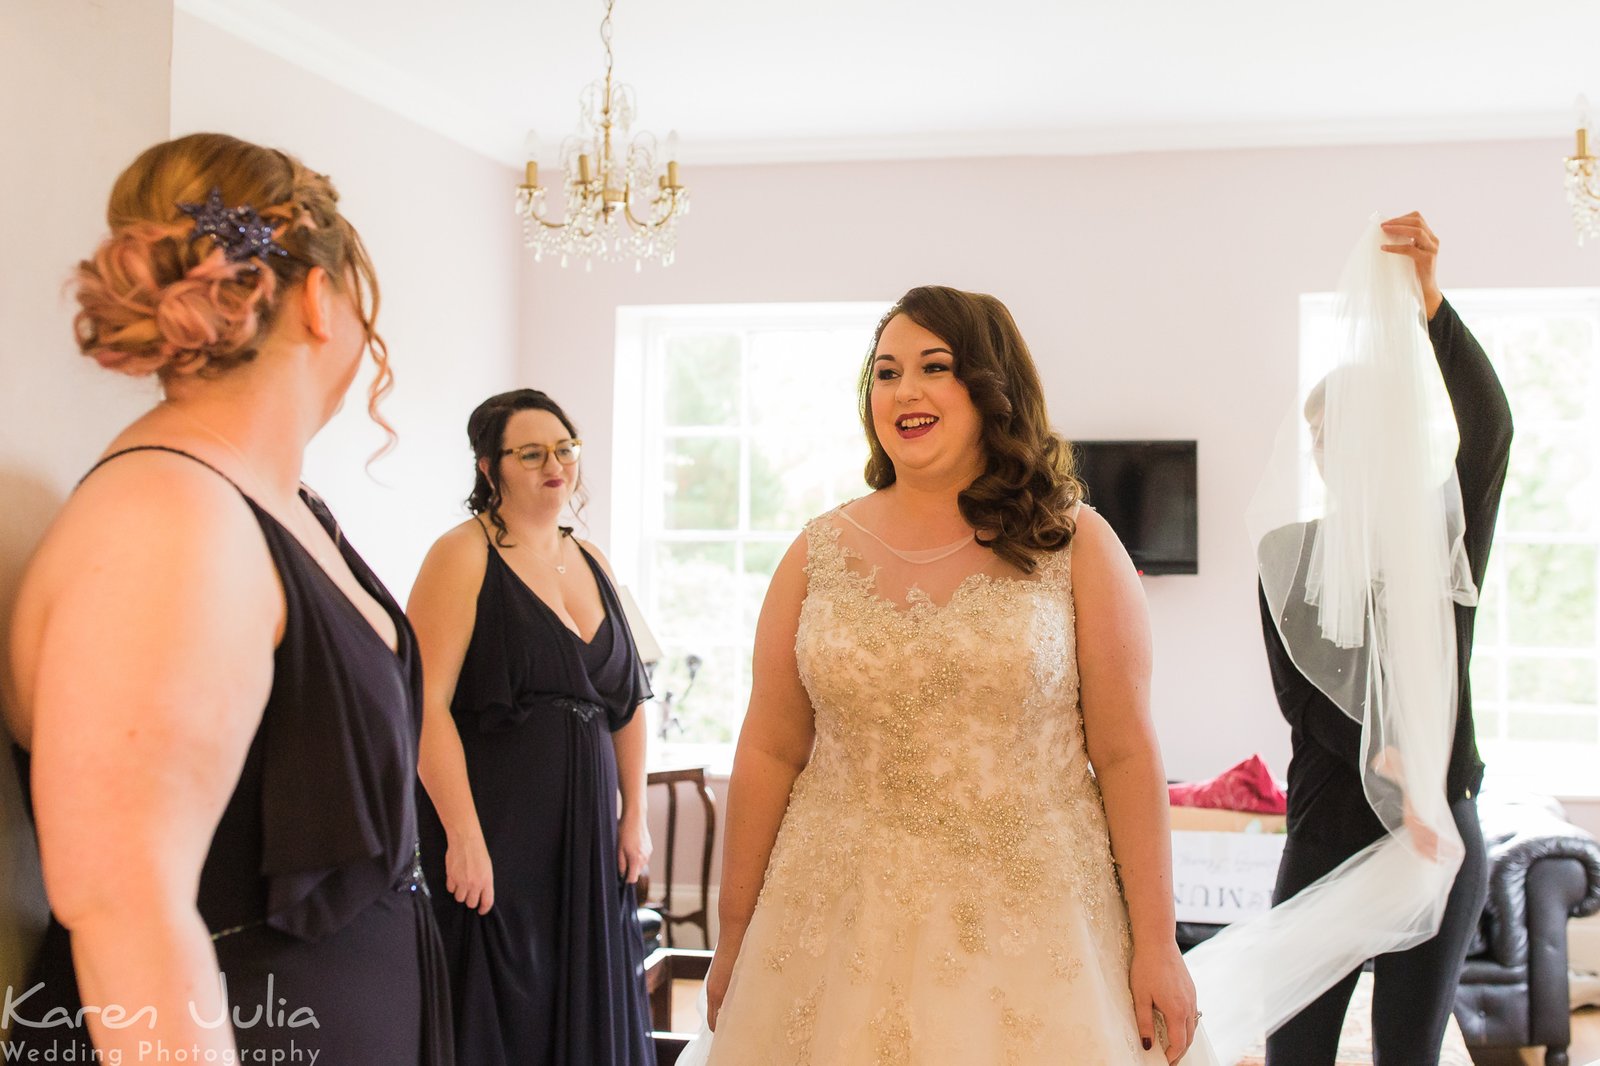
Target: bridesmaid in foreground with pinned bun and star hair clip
column 222, row 700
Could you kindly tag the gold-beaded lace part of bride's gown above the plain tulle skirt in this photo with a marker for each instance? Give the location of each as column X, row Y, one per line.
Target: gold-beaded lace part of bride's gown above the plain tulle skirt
column 950, row 774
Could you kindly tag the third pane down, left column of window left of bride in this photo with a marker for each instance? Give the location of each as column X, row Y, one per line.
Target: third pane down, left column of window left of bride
column 697, row 599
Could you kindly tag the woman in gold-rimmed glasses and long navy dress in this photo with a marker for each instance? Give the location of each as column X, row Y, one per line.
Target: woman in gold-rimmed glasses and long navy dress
column 530, row 687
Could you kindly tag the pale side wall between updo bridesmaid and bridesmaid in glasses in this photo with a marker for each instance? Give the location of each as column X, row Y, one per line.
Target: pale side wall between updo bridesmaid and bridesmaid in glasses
column 438, row 222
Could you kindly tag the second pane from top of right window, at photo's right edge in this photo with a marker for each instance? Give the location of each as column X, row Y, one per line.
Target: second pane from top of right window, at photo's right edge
column 1551, row 484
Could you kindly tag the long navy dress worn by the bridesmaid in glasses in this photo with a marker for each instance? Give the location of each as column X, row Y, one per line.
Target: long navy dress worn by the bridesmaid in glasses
column 553, row 976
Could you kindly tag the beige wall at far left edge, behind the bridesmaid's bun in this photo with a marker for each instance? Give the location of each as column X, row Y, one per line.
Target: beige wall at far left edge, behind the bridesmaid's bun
column 82, row 90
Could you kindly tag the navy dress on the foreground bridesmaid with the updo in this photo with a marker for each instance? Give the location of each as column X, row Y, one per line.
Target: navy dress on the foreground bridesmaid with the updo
column 313, row 886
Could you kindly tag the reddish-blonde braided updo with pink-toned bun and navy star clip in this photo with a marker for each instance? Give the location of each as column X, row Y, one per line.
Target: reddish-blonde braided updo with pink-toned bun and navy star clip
column 156, row 300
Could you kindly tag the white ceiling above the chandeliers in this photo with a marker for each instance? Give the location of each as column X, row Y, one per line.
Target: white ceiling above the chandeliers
column 767, row 81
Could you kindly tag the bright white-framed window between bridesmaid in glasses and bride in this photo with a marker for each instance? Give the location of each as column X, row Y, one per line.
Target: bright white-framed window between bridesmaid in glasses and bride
column 759, row 431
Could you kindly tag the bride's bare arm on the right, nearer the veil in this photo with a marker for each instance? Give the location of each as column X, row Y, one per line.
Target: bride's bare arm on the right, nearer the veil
column 1114, row 667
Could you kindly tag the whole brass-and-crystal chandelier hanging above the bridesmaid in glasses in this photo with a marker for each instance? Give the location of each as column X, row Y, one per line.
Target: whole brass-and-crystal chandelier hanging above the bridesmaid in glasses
column 618, row 202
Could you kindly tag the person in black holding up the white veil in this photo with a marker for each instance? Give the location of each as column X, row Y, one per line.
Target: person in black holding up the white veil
column 1329, row 812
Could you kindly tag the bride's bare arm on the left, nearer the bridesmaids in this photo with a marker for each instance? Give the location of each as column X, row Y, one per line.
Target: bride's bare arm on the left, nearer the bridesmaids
column 775, row 745
